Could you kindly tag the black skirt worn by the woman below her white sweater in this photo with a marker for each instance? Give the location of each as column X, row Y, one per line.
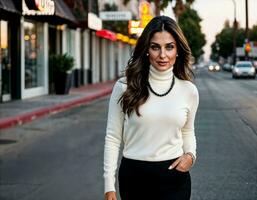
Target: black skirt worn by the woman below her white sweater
column 144, row 180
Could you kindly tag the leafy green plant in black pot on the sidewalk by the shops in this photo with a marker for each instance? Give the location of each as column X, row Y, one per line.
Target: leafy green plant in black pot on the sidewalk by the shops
column 61, row 66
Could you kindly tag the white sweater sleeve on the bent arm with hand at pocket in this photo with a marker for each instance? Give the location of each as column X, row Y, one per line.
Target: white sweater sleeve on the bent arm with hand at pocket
column 188, row 132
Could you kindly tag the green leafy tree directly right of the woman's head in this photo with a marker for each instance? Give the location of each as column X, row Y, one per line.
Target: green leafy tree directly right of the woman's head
column 189, row 22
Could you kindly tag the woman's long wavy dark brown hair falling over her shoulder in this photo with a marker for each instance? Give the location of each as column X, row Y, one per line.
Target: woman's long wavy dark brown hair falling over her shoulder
column 137, row 70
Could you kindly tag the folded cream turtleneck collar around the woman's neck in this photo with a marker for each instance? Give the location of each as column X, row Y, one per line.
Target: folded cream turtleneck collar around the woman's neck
column 155, row 74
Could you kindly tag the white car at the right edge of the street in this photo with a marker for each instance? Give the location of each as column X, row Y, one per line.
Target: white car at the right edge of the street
column 243, row 69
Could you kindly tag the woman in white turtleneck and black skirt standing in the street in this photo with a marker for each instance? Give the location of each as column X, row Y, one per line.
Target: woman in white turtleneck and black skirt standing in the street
column 152, row 111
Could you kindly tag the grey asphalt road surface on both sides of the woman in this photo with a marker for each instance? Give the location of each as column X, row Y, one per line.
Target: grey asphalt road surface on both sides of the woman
column 60, row 156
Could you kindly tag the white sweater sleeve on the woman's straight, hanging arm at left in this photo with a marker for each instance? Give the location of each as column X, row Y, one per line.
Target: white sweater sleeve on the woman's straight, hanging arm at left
column 113, row 137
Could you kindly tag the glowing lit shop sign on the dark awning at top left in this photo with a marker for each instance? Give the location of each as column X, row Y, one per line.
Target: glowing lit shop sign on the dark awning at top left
column 38, row 7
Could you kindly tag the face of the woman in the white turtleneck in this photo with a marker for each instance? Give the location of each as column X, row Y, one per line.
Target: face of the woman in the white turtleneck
column 162, row 51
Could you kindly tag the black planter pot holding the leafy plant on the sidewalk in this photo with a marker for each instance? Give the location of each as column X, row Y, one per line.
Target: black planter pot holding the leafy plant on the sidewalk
column 62, row 82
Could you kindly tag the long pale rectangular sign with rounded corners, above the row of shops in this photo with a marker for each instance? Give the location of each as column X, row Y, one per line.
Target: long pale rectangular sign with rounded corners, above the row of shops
column 115, row 15
